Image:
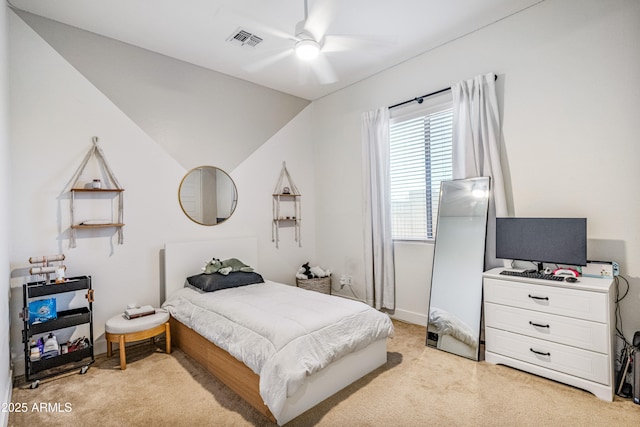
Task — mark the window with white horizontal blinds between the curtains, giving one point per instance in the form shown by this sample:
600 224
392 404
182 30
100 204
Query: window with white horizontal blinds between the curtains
420 154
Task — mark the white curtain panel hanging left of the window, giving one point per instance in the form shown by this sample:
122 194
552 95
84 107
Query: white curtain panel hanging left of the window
378 250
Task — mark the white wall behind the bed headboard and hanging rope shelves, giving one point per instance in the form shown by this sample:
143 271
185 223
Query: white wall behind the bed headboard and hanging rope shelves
55 112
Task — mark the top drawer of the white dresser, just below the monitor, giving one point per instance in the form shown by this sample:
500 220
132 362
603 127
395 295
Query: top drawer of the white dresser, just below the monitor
548 299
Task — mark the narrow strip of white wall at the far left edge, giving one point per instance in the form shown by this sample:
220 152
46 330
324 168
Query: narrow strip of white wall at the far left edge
5 219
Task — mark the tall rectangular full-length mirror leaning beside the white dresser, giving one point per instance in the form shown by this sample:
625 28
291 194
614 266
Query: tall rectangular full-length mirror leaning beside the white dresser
458 262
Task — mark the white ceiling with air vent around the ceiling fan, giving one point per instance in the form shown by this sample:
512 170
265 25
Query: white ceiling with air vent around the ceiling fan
363 37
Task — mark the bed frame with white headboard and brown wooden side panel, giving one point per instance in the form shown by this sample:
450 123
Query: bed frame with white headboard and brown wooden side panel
186 258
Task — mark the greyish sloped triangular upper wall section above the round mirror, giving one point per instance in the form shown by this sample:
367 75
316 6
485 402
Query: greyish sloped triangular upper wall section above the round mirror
179 105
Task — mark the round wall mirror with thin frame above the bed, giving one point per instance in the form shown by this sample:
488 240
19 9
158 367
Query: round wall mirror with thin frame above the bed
207 195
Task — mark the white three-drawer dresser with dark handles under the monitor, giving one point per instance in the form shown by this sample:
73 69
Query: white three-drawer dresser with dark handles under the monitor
558 330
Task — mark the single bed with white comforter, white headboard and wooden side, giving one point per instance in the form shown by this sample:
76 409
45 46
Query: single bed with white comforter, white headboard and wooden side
289 372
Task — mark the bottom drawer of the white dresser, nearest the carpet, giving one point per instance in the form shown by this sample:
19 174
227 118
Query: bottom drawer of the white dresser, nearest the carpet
580 363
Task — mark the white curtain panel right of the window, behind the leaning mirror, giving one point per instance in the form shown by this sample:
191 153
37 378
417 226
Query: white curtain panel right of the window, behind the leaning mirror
476 146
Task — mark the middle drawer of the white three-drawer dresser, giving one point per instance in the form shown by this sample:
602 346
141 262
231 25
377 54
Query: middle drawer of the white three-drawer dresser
585 334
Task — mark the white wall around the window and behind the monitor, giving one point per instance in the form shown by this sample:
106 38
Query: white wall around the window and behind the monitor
569 94
